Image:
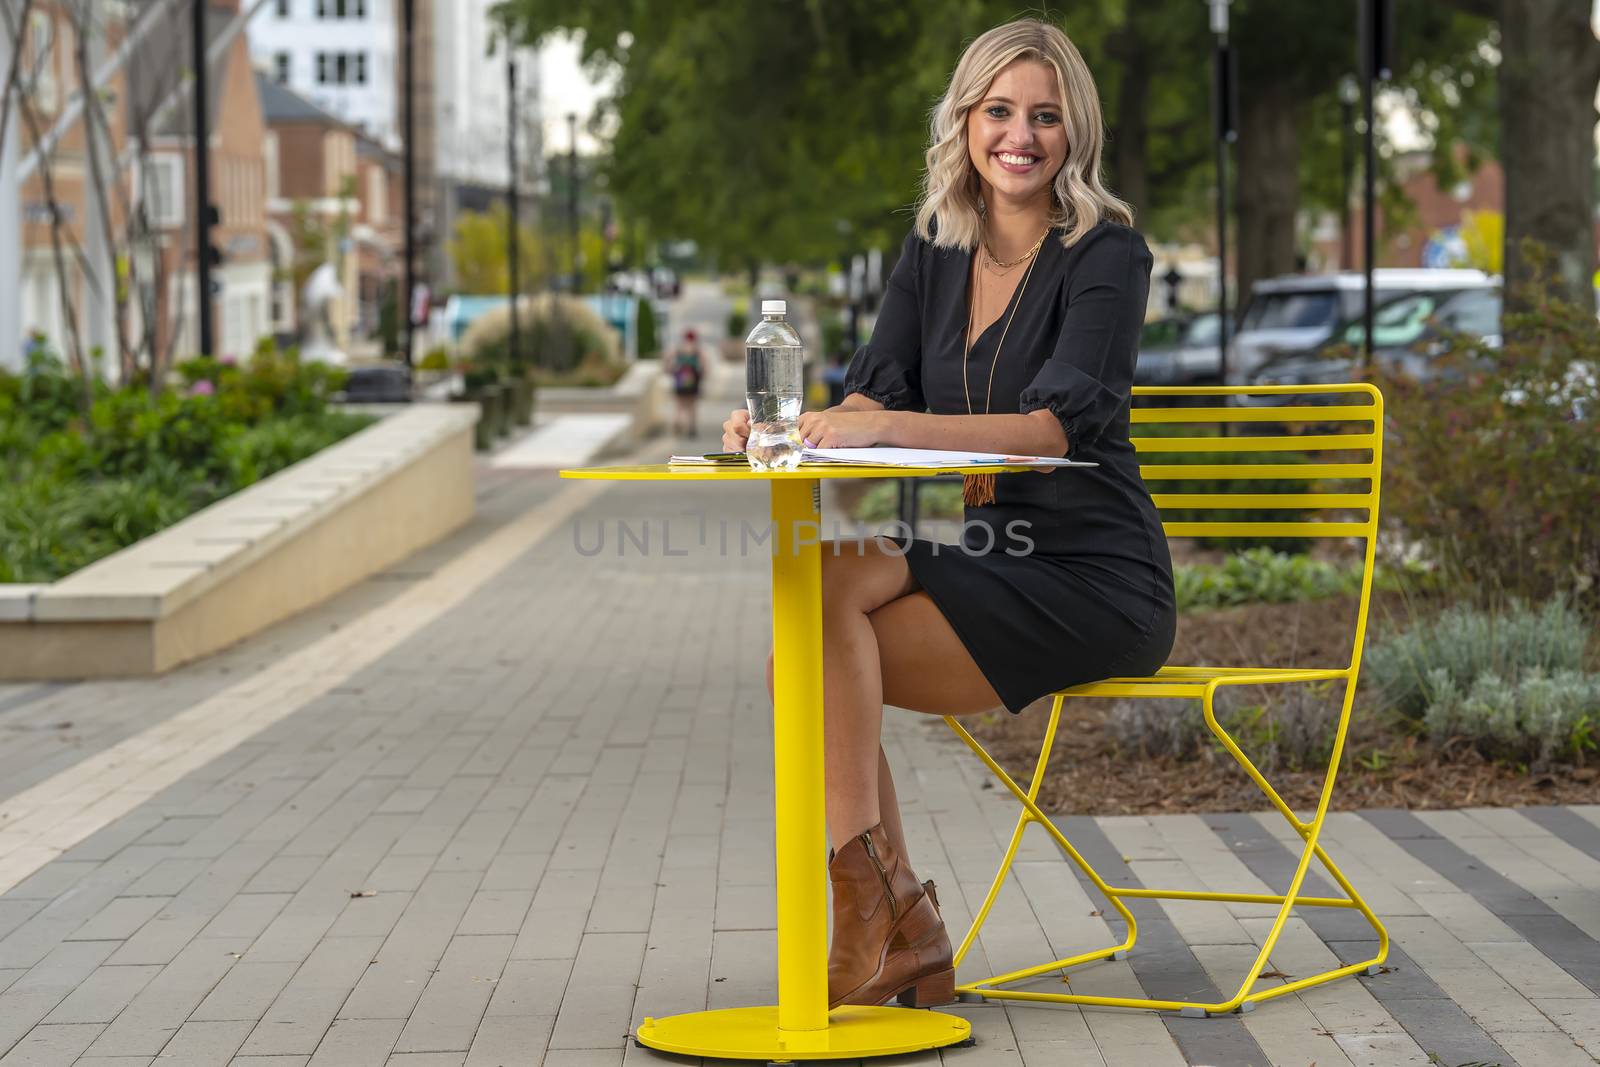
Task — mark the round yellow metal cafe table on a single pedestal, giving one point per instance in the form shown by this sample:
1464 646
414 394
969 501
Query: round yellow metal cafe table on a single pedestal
799 1026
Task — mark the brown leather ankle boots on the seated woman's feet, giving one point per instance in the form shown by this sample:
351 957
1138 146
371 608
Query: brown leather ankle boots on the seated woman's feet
889 938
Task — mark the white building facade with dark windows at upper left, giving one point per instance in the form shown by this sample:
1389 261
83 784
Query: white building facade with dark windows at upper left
338 54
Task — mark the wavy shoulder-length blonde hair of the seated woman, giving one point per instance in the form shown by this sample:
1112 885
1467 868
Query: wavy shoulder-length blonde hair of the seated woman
950 212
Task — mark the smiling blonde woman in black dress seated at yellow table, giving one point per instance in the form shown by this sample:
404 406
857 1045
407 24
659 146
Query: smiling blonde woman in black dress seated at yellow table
1010 326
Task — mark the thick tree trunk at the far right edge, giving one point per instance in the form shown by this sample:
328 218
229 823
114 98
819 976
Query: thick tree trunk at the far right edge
1550 66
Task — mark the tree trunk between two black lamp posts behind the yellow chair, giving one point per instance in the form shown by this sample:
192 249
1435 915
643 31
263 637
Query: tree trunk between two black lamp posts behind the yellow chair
1268 196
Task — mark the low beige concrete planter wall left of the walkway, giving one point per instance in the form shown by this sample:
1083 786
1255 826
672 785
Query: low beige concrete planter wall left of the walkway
250 561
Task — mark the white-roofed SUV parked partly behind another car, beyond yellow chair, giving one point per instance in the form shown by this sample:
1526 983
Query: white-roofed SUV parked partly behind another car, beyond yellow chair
1300 313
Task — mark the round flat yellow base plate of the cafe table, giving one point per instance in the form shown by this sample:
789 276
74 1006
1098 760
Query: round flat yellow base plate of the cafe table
852 1034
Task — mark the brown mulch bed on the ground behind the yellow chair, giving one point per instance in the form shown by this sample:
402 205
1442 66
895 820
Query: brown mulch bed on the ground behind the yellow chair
1090 777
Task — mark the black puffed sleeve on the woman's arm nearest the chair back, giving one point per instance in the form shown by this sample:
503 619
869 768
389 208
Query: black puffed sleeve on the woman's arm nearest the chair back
1089 377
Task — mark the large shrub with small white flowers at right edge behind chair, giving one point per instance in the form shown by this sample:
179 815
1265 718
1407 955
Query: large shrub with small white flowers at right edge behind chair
1494 465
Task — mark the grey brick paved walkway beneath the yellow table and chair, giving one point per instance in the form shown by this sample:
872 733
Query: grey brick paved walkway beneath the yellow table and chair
498 804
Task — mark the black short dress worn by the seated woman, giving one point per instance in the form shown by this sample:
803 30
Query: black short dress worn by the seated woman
1065 578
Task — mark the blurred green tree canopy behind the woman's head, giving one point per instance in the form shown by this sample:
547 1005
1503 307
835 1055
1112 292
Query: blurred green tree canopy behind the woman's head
796 132
